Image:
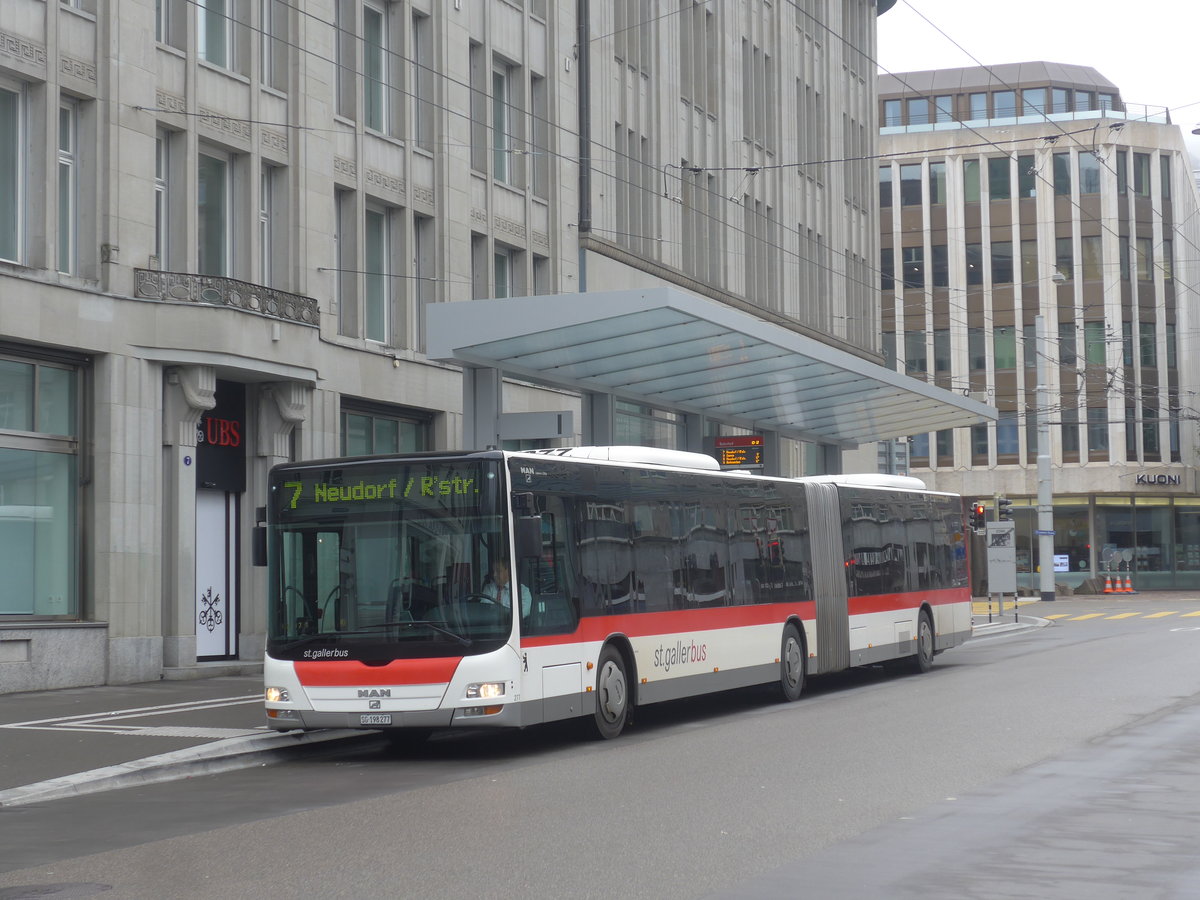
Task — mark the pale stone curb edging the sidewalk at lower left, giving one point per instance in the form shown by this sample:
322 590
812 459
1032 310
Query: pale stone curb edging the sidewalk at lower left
211 759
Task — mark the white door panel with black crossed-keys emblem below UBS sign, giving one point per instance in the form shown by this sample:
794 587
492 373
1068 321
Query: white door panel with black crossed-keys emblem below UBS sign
217 575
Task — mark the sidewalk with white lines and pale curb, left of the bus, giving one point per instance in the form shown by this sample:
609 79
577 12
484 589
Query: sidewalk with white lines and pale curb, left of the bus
79 741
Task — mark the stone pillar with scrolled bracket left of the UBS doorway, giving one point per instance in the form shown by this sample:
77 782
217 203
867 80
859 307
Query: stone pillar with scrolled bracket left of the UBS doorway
189 393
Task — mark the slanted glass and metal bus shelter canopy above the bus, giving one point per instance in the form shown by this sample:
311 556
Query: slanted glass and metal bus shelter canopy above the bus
677 351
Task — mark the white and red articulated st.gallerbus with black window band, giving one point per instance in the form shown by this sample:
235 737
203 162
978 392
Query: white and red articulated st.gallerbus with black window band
641 577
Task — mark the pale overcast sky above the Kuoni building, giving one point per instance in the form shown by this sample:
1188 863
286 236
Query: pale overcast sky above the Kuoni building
1148 49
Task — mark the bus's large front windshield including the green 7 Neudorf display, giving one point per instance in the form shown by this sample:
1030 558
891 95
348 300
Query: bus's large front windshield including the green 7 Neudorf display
385 560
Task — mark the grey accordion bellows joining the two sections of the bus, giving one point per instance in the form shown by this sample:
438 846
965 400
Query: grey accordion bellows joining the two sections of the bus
829 579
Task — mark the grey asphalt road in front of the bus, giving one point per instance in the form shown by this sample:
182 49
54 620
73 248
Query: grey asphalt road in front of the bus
1055 764
